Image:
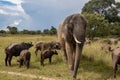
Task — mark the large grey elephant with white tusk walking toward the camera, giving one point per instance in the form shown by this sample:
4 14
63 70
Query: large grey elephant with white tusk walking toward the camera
71 34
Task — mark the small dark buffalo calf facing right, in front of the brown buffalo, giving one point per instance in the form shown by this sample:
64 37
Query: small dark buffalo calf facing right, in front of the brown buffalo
47 54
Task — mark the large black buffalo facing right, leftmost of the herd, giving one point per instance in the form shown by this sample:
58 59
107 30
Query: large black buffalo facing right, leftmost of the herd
14 49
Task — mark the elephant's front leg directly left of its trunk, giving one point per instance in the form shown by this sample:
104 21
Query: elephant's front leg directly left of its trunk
69 51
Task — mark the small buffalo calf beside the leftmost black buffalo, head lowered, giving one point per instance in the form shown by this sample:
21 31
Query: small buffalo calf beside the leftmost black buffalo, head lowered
25 56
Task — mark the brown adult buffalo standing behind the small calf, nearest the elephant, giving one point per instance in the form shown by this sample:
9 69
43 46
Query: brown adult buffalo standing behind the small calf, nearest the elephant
46 45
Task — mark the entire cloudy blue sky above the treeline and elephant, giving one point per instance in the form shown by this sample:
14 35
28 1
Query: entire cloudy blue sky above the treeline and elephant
37 14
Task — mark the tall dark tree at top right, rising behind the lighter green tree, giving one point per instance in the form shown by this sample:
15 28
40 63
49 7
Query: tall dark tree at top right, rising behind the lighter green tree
108 8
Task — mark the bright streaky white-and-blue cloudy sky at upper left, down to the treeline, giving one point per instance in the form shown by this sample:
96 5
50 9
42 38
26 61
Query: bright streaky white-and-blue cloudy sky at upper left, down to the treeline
12 14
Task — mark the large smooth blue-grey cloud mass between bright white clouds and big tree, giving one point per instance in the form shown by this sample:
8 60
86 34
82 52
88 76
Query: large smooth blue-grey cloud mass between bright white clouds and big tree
47 13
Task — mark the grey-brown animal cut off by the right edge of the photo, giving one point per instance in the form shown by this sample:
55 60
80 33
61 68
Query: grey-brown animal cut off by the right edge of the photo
115 59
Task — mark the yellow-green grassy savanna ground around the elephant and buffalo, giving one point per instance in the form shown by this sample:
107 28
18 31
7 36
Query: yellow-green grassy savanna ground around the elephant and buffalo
95 63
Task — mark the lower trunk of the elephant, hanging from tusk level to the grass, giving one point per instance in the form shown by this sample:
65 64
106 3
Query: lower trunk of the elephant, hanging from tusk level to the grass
79 47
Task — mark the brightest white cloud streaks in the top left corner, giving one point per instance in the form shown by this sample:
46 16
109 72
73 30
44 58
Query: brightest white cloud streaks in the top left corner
14 10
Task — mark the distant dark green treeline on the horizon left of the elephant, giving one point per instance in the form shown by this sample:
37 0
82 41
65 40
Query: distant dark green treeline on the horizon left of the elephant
14 30
